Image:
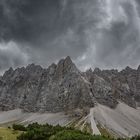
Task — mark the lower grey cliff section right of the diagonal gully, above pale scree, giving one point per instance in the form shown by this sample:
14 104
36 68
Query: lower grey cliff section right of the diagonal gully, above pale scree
111 86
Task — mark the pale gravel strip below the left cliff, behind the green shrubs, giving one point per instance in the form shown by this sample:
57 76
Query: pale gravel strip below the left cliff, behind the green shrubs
27 118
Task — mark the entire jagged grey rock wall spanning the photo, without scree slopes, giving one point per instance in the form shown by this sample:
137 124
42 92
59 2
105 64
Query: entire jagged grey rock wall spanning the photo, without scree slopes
63 87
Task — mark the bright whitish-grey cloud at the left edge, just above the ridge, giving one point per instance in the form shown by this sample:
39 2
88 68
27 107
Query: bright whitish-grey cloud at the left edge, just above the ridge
11 56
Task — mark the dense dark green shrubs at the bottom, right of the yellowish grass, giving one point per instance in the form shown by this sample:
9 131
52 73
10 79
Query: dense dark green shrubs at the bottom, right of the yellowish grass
48 132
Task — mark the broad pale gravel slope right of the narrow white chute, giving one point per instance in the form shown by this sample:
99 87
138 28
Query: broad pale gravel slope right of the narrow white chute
123 121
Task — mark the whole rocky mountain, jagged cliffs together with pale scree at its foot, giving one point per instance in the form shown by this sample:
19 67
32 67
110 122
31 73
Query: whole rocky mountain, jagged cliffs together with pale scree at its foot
102 98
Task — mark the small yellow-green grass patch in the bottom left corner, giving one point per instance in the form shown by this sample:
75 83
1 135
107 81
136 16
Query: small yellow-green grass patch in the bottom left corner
8 134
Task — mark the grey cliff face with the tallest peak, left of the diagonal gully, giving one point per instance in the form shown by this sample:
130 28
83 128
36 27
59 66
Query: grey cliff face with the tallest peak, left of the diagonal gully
58 88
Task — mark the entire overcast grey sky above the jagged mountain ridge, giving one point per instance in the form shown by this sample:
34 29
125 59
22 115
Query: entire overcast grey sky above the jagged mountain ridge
95 33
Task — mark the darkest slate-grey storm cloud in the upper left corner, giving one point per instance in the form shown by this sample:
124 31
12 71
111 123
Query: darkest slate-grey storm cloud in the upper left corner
26 20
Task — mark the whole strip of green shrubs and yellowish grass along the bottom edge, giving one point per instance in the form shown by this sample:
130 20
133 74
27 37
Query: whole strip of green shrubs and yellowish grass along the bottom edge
36 131
